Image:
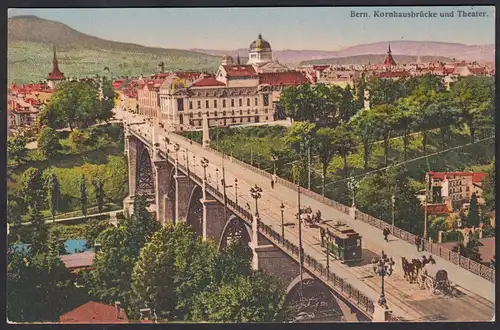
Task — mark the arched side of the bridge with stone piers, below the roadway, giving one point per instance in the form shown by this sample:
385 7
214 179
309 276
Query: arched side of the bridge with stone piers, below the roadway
178 192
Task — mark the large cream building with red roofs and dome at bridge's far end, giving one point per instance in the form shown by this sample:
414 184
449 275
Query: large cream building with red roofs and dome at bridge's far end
237 94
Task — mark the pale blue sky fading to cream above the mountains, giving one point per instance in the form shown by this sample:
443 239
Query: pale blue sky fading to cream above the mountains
310 28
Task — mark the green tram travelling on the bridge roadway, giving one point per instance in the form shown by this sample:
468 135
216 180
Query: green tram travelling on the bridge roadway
342 242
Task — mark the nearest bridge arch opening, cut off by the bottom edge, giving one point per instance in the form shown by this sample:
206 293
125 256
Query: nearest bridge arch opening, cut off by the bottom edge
312 302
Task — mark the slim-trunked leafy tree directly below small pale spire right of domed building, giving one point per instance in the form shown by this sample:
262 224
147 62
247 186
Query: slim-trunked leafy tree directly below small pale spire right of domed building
365 128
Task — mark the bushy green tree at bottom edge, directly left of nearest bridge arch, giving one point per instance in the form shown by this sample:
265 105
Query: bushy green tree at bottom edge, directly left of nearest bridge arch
254 298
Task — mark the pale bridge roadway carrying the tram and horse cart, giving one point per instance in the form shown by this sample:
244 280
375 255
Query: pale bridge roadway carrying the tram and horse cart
475 301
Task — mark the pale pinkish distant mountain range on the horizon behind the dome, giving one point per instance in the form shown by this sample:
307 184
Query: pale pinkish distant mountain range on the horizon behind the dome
411 48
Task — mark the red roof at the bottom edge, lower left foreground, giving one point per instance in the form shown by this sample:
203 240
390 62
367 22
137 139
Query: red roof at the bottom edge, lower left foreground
94 312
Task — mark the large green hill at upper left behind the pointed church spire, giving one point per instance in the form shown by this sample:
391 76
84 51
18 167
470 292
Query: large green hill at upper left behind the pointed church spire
29 53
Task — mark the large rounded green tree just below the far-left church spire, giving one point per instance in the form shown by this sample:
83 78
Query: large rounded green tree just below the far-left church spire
73 103
